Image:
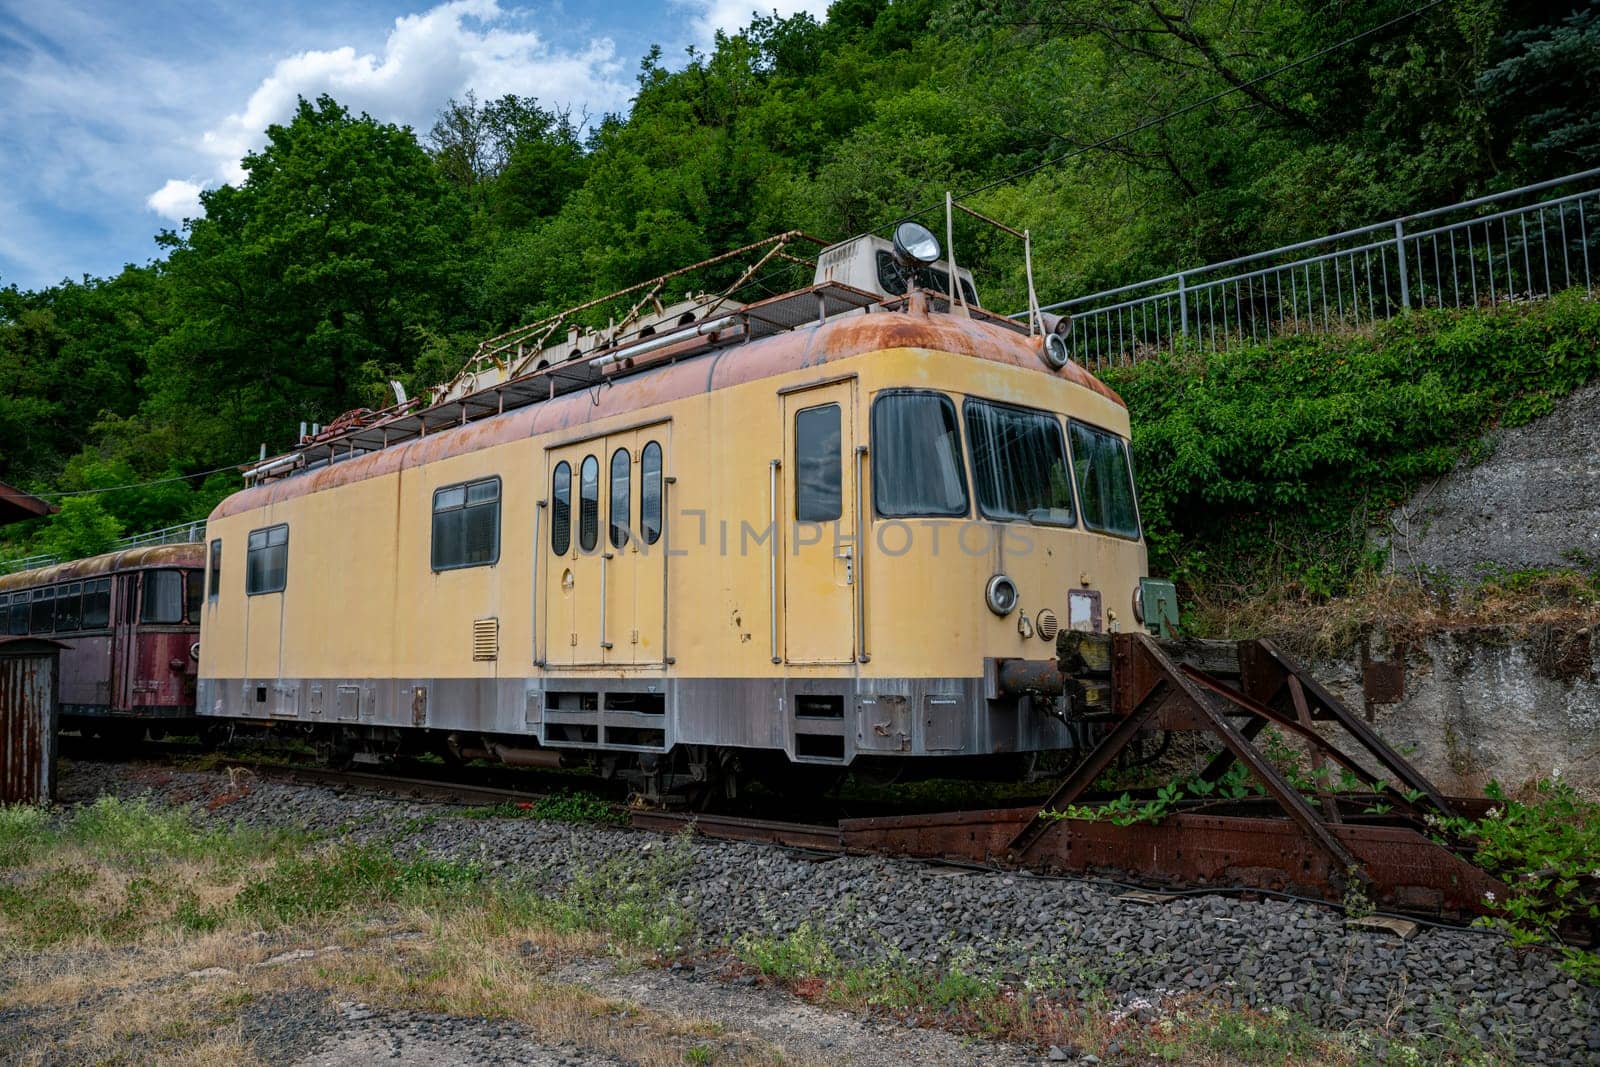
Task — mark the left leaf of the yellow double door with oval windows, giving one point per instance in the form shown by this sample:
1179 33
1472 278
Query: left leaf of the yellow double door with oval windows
574 554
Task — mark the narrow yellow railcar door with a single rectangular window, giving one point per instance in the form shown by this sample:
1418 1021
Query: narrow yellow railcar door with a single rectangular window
817 513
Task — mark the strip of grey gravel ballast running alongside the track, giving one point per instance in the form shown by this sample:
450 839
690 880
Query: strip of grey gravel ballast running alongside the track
1055 935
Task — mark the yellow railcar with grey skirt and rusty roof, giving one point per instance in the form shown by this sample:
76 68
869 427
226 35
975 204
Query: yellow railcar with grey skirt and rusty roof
834 527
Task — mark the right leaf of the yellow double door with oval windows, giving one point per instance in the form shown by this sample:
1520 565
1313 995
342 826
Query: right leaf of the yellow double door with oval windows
634 551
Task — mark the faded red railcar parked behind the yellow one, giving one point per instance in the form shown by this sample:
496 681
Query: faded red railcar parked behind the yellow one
130 626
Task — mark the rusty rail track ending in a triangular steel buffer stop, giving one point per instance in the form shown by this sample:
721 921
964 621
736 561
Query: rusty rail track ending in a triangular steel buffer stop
1326 845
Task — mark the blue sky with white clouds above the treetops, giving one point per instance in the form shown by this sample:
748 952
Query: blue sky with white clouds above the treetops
114 114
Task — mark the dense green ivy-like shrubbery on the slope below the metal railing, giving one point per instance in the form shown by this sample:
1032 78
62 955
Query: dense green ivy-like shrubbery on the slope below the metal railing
1263 468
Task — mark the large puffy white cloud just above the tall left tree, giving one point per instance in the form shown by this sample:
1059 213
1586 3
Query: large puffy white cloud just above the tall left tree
425 62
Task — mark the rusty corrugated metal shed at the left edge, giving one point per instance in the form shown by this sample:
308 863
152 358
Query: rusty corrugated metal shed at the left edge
30 669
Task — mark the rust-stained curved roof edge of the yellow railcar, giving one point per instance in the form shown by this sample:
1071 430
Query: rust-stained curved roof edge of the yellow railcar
721 369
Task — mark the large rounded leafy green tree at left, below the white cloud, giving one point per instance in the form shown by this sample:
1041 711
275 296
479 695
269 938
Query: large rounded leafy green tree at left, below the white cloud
306 287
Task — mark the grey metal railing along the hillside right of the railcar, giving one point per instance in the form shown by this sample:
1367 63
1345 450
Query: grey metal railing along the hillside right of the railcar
1478 254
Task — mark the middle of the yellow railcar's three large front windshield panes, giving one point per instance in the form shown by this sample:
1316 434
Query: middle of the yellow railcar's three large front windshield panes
1020 465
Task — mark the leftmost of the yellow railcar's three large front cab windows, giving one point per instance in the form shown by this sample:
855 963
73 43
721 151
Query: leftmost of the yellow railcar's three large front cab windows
918 457
